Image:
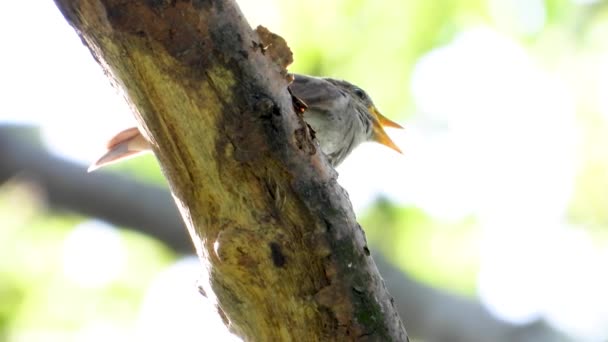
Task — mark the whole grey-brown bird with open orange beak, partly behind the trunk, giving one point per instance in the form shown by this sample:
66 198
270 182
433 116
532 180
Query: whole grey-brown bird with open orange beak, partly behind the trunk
341 114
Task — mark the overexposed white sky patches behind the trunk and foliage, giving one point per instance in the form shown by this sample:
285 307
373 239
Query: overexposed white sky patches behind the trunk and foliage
485 148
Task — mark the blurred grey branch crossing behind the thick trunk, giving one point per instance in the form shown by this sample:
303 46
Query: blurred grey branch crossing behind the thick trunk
432 315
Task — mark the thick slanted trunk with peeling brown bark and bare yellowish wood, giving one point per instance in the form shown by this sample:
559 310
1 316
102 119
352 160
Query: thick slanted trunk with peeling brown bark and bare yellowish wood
283 253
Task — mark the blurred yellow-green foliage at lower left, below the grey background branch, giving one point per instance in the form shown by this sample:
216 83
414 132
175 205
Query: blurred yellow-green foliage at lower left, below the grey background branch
37 297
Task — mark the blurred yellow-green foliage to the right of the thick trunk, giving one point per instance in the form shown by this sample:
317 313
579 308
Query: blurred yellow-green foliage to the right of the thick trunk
377 45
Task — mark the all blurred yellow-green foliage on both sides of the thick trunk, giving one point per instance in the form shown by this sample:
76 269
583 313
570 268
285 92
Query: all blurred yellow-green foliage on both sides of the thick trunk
375 44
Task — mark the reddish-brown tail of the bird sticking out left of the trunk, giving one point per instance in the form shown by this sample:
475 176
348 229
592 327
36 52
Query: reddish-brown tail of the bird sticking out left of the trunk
123 145
